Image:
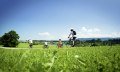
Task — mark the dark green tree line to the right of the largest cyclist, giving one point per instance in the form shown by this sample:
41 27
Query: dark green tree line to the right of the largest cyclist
98 42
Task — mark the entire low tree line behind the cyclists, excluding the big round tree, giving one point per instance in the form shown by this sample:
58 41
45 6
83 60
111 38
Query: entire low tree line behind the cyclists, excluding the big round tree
80 43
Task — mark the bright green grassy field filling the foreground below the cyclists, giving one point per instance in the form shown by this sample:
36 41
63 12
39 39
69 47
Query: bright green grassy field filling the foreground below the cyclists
80 59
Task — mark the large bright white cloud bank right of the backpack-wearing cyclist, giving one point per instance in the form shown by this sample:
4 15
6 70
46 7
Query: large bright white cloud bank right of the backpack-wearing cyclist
95 32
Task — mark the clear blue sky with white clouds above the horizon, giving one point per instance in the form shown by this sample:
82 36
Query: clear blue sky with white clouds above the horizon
53 19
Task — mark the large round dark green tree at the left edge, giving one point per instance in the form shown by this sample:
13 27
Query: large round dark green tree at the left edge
10 39
